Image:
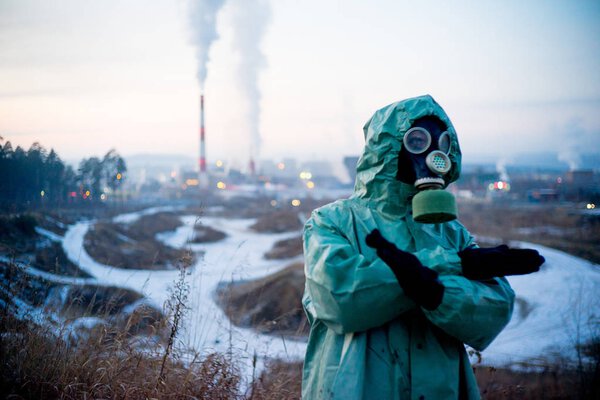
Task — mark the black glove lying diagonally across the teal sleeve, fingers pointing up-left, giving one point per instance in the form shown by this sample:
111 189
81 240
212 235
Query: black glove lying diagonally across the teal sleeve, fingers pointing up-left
418 282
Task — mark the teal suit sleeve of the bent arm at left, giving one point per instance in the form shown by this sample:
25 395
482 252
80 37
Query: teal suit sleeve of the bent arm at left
344 289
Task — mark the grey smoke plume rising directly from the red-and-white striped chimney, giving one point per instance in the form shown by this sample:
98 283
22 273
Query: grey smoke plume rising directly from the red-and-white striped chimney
203 17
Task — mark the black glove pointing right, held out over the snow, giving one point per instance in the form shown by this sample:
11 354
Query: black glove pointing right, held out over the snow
487 263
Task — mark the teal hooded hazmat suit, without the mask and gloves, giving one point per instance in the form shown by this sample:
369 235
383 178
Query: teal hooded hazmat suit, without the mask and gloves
367 339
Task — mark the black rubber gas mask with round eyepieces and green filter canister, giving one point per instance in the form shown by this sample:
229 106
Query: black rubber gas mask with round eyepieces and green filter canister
423 162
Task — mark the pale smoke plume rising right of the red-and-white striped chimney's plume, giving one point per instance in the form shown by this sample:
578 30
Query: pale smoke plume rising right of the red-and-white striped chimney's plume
250 19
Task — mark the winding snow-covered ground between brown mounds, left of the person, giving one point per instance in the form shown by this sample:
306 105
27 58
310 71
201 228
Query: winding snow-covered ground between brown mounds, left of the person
237 257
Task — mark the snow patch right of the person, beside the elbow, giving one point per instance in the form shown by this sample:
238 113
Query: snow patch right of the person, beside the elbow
557 309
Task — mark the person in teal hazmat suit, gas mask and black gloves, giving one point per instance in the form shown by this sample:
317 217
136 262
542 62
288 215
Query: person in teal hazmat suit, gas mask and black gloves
395 285
